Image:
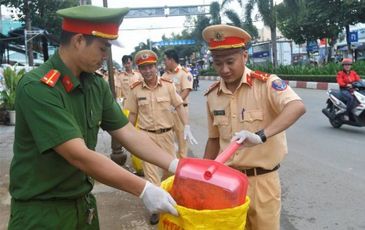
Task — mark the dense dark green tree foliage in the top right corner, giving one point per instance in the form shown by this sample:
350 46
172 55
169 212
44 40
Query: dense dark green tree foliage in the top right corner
306 20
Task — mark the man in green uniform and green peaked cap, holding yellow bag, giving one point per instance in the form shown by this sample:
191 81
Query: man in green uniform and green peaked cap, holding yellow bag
60 107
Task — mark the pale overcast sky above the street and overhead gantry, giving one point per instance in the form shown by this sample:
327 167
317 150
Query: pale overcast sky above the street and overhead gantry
134 31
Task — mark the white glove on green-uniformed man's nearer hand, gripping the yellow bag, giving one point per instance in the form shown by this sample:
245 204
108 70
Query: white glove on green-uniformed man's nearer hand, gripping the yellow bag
157 200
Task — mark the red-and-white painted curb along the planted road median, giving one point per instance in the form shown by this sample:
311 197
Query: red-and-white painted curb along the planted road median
293 84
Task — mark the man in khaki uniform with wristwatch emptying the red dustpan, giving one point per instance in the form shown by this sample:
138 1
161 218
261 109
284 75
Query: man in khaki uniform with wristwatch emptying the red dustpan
255 109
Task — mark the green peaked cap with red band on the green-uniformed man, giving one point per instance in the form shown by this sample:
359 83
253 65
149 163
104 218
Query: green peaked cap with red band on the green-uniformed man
93 20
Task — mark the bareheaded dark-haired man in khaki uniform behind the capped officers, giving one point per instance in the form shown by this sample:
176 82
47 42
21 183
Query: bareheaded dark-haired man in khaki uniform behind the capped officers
183 81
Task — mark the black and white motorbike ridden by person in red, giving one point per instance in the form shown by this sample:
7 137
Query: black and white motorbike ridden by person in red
336 108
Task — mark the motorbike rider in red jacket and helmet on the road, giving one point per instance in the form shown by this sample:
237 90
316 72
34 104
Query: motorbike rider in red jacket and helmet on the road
345 78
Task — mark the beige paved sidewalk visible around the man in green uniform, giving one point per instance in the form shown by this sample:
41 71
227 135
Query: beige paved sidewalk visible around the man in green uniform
117 209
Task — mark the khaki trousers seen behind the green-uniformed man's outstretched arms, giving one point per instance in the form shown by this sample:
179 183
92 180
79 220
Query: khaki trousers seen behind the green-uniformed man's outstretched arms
165 141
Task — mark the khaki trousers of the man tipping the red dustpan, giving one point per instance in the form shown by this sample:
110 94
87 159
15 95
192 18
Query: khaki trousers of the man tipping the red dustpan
265 193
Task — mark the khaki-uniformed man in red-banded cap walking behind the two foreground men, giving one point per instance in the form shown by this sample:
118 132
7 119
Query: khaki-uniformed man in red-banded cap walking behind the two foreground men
151 100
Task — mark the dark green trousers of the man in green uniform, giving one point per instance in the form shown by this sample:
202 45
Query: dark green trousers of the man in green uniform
79 214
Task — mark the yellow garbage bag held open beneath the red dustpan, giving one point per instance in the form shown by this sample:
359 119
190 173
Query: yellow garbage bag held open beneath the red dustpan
191 219
